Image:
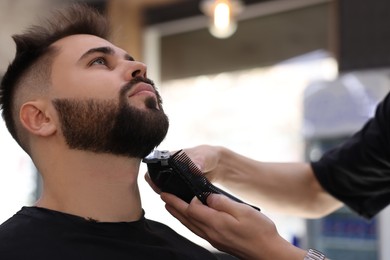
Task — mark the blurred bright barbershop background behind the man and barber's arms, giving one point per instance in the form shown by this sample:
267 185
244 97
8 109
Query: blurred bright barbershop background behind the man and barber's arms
282 80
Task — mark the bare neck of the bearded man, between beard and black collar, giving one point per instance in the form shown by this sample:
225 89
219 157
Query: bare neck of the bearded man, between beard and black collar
99 187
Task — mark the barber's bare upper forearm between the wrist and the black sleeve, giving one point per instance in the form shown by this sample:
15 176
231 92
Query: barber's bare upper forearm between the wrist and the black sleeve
283 187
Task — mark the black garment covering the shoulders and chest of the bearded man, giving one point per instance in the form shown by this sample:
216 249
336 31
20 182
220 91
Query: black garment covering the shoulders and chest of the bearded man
38 233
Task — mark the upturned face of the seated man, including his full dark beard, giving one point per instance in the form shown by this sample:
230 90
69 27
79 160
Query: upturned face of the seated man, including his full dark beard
104 101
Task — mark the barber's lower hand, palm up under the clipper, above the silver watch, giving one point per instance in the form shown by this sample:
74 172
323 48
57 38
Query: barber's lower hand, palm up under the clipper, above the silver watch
232 227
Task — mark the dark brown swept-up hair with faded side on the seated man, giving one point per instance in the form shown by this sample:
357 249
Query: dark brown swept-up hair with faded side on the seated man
30 70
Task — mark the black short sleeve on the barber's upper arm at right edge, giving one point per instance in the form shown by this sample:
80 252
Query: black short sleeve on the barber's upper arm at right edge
358 172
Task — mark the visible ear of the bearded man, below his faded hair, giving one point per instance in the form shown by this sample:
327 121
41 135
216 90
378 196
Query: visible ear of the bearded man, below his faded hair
37 119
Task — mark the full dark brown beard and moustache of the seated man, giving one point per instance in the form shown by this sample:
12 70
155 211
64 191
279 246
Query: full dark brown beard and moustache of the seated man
109 126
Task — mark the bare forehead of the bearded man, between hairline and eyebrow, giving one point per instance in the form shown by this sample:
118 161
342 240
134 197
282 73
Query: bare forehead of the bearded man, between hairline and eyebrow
73 47
